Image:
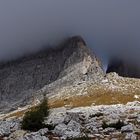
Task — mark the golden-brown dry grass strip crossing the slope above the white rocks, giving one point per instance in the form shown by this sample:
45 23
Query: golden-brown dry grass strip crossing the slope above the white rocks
94 96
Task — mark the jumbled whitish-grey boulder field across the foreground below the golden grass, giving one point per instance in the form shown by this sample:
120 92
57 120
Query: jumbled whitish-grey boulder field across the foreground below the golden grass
81 122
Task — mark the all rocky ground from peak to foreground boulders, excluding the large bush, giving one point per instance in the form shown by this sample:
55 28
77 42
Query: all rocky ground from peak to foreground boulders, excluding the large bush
83 99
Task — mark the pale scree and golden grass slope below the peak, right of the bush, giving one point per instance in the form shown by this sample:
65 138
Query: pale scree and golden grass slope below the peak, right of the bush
111 89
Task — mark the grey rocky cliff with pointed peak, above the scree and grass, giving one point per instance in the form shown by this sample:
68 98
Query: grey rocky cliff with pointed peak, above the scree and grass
68 64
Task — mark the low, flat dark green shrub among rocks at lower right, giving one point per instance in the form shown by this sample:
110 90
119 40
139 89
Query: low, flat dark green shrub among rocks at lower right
116 125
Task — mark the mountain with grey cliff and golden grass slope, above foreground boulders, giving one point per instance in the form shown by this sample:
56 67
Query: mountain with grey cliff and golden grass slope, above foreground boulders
69 74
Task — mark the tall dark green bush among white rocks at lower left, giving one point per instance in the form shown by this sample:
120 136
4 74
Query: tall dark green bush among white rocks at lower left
33 119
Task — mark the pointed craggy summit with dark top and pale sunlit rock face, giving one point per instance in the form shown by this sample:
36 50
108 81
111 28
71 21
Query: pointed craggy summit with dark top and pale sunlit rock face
82 63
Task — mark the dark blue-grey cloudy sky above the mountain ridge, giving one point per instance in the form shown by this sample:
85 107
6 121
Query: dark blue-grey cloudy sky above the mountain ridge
110 27
